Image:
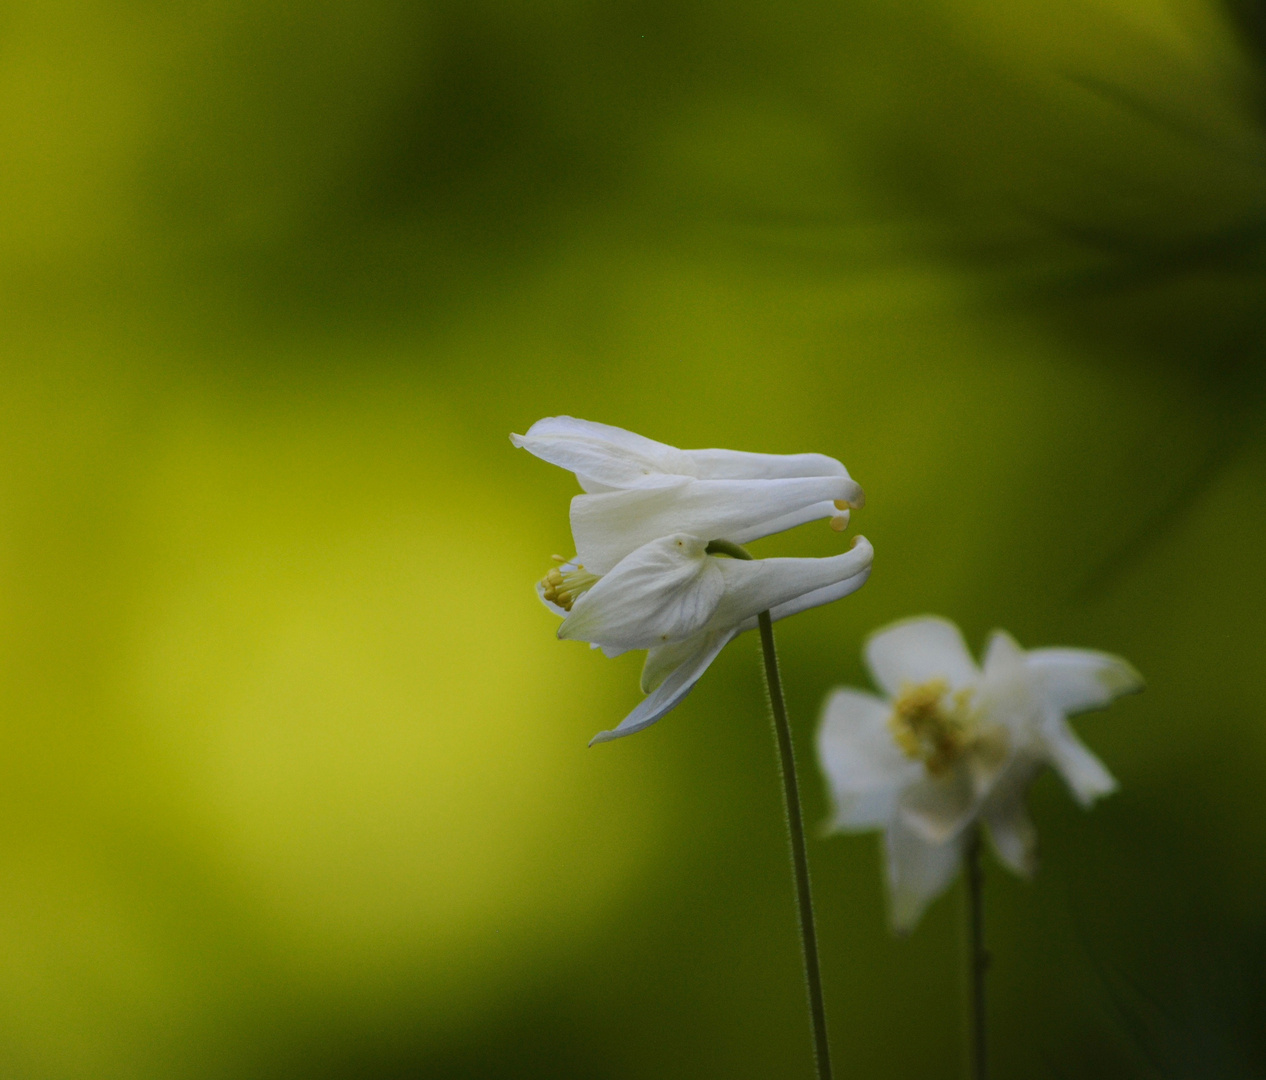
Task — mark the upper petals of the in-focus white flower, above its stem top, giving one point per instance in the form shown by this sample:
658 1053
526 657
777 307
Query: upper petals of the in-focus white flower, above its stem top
640 491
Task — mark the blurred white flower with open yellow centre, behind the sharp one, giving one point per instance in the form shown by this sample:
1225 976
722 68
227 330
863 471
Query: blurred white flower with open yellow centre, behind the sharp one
953 744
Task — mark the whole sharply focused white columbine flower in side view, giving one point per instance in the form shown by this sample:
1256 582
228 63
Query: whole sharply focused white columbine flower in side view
644 578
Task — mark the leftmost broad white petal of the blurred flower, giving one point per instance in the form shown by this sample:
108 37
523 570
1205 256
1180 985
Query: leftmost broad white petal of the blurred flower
865 769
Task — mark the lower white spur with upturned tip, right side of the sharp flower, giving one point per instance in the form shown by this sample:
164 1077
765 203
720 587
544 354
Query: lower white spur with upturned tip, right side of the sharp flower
774 584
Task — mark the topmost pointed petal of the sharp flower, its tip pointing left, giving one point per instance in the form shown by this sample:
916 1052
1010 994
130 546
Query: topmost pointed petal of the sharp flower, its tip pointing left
603 458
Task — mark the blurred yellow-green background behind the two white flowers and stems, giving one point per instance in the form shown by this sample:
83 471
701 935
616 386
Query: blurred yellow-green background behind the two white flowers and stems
296 775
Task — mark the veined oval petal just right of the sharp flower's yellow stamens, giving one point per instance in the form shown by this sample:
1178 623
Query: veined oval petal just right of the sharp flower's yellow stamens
664 592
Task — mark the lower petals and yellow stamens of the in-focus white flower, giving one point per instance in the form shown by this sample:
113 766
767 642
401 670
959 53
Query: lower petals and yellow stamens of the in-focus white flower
683 606
